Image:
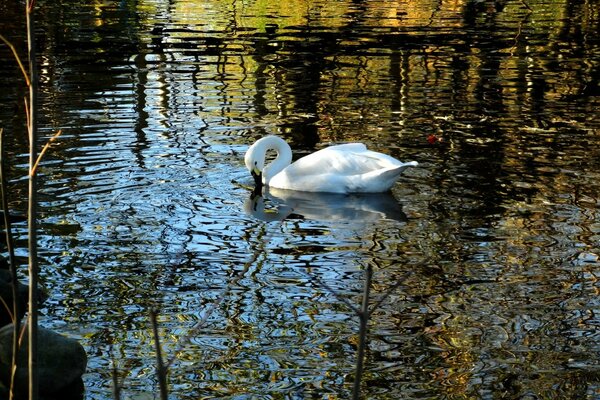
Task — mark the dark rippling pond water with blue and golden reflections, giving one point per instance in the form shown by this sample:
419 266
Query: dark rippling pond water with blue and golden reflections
485 257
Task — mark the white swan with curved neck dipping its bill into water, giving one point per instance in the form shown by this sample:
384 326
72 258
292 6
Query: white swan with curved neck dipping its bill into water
345 168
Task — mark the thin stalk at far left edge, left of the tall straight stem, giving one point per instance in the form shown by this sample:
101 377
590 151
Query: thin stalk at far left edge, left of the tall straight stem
12 263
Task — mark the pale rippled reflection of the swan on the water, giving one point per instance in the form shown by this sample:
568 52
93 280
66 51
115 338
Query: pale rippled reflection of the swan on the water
277 205
